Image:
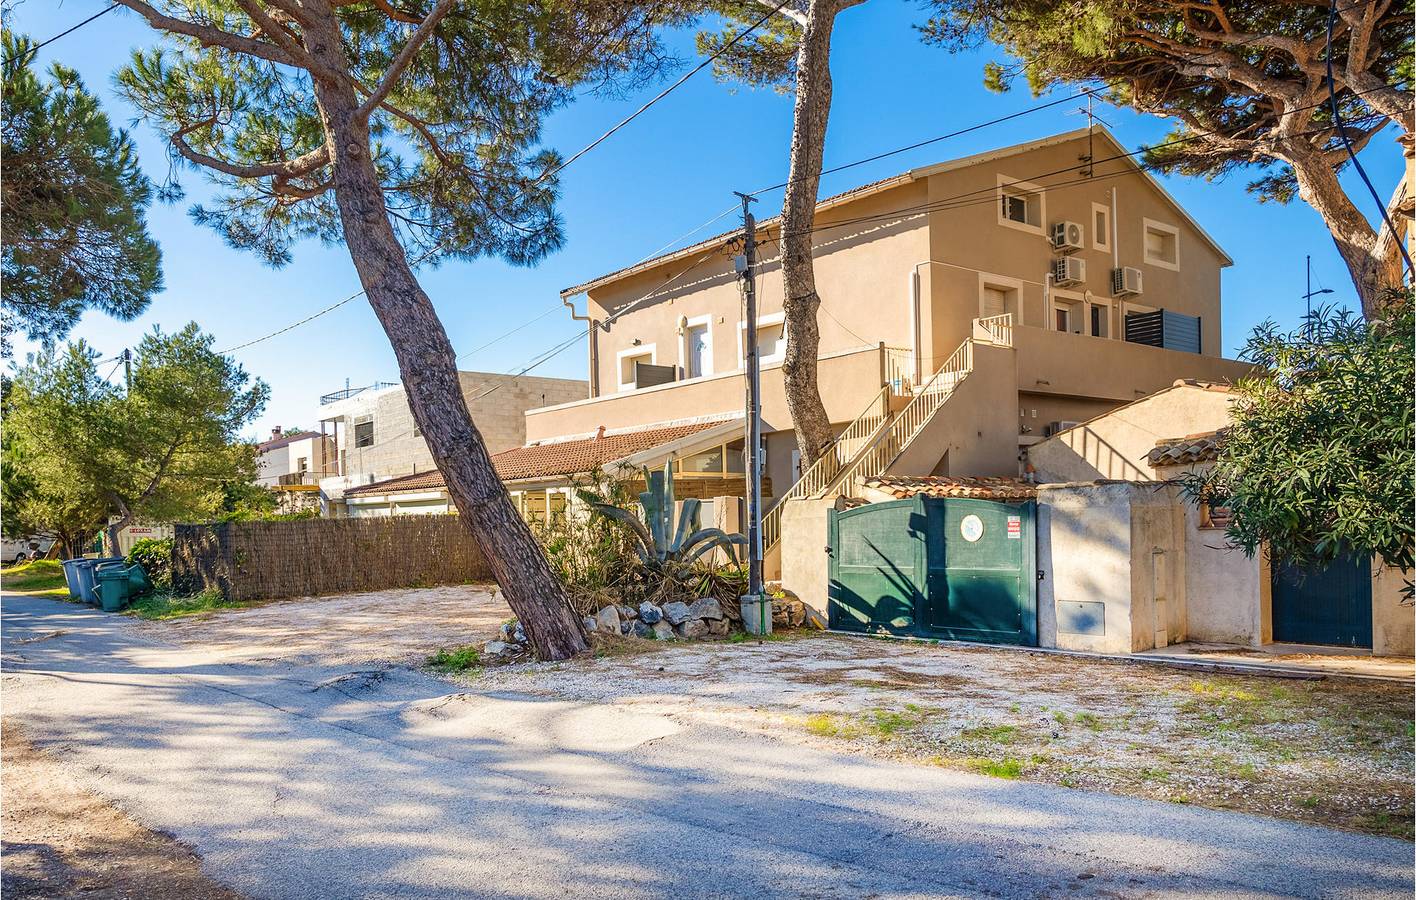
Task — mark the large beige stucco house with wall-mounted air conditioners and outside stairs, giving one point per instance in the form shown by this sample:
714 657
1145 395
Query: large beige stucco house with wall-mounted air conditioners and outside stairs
968 311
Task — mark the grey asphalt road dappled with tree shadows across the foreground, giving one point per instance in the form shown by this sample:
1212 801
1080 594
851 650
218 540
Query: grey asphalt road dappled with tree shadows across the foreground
298 780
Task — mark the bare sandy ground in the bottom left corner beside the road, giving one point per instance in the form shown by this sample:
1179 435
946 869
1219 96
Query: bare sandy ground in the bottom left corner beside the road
62 841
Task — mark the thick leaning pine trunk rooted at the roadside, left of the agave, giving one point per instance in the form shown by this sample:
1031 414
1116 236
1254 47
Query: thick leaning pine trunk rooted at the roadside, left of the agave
430 370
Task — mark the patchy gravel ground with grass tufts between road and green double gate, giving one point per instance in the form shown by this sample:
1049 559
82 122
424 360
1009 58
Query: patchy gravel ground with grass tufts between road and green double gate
1333 752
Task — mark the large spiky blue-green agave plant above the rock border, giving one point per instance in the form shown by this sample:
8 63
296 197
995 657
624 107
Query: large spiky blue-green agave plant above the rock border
661 543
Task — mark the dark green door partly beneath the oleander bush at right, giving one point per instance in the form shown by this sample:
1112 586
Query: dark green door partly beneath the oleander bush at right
1325 606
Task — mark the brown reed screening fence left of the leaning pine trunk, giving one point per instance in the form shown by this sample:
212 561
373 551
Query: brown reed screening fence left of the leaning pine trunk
267 561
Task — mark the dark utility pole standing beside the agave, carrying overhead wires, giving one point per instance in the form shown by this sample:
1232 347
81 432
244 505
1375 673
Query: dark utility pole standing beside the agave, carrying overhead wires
757 609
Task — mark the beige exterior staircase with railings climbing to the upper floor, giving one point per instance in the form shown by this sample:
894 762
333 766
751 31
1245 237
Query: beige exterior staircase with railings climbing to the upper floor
884 429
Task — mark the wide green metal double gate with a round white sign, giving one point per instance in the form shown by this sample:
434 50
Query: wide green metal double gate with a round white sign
959 570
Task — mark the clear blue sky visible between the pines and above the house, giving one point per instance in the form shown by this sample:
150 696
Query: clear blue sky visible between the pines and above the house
669 172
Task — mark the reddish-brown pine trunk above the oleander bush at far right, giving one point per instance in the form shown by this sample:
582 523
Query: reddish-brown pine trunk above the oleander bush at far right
1374 265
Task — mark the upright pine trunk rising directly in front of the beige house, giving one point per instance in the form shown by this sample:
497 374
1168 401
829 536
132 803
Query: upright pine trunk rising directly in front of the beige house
813 108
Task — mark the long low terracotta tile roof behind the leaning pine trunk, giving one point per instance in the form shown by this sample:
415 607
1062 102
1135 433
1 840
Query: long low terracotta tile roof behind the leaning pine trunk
547 461
